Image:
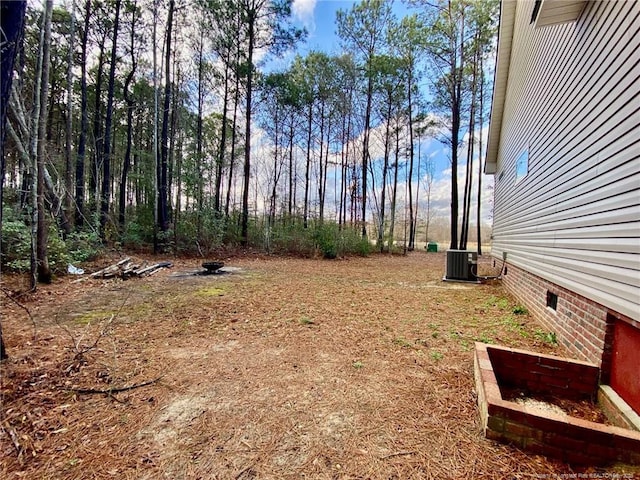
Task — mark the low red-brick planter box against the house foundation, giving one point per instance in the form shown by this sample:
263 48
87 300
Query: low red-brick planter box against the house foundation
545 432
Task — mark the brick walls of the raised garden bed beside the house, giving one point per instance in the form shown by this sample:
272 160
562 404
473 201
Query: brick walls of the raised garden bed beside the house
570 439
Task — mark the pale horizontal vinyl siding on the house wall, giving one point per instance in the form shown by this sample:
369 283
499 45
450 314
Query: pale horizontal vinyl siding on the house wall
573 97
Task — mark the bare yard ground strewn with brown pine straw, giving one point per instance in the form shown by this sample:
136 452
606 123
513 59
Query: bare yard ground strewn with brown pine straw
283 368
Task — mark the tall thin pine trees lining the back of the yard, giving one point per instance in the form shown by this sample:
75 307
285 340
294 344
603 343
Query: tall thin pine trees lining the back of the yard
163 123
